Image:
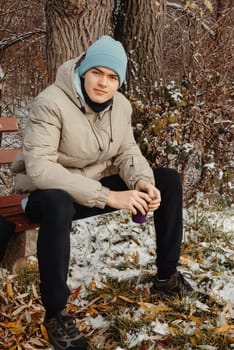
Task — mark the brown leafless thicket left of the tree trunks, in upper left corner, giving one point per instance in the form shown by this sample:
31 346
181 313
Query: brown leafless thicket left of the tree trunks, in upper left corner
22 51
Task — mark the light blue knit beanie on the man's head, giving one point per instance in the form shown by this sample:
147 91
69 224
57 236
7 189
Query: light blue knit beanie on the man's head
106 52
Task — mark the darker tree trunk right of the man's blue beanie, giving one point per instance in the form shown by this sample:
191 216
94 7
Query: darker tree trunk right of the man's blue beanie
139 26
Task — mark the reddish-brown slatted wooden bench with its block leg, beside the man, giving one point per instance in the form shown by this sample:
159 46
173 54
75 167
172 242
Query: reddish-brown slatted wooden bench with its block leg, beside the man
24 242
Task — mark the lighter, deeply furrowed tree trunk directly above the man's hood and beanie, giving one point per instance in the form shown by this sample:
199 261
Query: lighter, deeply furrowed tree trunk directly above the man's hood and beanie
72 26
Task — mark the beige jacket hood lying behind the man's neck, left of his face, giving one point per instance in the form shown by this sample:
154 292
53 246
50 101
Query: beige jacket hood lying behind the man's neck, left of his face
68 82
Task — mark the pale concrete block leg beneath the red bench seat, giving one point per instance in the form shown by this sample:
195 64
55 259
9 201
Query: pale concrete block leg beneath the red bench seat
21 245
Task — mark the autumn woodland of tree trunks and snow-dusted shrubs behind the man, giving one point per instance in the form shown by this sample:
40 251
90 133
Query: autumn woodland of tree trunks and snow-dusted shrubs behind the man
179 80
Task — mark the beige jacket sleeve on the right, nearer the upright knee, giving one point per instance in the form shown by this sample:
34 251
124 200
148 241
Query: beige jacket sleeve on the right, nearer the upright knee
130 161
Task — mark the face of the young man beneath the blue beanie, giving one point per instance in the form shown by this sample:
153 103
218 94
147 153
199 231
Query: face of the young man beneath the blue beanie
101 84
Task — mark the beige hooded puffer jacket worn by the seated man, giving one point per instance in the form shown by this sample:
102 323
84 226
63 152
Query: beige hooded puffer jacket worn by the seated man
69 147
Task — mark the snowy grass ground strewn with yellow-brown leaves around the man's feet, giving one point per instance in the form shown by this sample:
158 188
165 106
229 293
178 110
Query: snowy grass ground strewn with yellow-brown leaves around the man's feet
111 269
